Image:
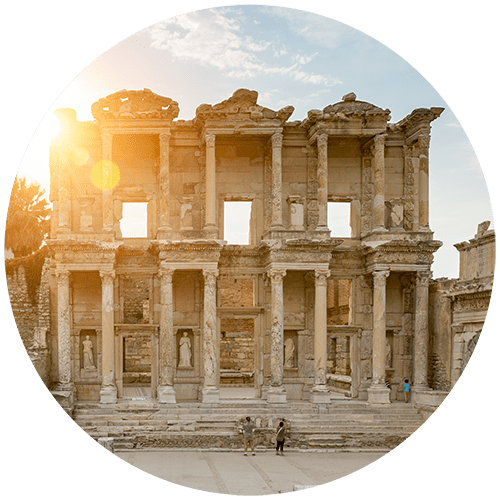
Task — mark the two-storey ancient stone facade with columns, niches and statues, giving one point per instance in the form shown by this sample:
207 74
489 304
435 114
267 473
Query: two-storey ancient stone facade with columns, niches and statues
296 313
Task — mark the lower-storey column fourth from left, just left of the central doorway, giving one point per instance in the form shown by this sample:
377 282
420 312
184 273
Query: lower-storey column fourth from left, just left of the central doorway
210 392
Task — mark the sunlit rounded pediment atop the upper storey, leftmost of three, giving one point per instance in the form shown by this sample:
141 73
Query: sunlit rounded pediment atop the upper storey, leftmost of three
133 105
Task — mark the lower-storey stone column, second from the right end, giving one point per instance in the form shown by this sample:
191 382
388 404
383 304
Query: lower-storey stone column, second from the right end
378 392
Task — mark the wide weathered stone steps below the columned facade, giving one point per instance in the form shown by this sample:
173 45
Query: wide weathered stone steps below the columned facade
342 424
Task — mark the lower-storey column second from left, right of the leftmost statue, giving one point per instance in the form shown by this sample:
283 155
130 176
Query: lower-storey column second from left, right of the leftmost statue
108 387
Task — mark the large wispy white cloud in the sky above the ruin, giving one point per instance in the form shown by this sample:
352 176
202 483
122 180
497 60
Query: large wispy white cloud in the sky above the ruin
214 37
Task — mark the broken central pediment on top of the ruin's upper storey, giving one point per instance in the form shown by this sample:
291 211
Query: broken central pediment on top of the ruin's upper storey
242 106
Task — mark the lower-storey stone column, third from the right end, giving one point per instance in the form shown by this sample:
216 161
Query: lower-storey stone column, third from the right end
319 392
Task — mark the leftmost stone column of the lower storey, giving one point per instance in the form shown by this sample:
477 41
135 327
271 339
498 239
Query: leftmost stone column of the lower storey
64 330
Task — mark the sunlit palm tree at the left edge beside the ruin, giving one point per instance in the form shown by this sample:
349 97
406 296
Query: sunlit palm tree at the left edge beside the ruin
27 218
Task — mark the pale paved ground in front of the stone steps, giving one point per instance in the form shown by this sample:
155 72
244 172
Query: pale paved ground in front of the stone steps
231 473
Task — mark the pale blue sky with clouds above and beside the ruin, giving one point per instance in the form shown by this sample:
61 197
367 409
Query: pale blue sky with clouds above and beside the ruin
290 57
